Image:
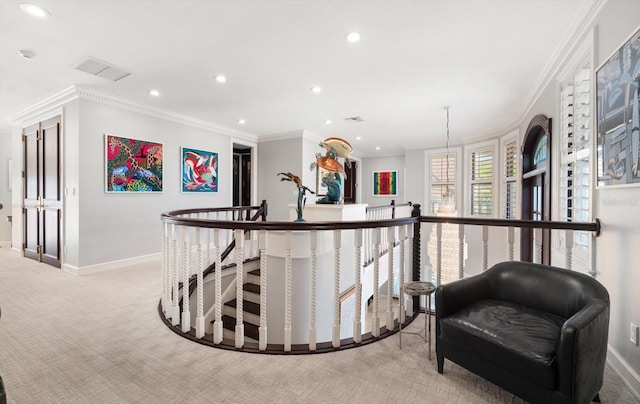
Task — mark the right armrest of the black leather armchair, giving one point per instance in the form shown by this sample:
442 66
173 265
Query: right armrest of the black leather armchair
582 350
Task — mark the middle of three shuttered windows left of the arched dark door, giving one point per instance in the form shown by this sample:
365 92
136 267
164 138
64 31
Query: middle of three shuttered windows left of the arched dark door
482 183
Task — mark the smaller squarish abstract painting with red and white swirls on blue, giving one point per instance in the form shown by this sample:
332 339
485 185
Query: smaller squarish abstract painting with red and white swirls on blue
199 170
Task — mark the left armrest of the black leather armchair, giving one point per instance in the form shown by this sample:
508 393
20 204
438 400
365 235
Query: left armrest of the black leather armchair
457 295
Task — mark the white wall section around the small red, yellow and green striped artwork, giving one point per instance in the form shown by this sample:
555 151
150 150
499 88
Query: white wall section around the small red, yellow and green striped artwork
371 164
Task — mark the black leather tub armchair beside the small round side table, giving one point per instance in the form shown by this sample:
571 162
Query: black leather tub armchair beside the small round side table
537 331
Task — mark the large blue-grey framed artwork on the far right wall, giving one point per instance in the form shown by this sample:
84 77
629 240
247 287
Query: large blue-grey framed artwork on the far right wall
618 115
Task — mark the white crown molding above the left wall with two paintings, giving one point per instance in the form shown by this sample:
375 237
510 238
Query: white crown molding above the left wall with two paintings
75 92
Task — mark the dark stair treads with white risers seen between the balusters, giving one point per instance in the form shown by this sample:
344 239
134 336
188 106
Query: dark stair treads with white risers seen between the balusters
251 310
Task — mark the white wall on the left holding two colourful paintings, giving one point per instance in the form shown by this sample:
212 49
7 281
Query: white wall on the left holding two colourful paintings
113 226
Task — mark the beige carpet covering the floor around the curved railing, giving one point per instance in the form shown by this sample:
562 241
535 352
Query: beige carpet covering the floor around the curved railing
98 339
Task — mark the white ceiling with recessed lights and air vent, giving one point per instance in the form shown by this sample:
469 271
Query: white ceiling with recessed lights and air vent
483 58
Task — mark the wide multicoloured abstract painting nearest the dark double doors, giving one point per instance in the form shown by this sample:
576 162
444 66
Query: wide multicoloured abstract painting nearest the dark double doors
132 165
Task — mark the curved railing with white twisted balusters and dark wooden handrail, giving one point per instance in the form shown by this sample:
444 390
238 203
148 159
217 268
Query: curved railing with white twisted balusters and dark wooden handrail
301 287
